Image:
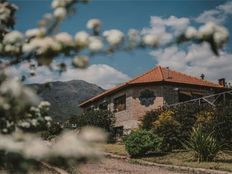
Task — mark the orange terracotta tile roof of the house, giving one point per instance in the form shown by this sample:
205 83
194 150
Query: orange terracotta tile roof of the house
159 74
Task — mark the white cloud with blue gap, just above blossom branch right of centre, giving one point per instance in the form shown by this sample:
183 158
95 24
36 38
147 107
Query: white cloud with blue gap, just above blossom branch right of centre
166 28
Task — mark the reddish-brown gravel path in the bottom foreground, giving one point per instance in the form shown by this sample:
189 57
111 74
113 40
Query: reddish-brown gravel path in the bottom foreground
115 166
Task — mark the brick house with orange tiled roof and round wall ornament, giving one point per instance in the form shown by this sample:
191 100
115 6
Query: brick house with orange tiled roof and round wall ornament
156 88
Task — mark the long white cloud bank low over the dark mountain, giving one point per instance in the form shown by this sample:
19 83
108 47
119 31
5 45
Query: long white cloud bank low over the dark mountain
100 74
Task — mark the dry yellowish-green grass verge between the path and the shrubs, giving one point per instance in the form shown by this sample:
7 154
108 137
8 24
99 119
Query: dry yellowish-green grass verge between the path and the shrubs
179 158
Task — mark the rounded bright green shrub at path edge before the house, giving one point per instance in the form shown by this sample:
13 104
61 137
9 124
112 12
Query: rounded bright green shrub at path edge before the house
139 142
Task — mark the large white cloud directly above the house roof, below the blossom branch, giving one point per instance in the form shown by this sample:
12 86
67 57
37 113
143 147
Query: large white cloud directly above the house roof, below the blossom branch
197 59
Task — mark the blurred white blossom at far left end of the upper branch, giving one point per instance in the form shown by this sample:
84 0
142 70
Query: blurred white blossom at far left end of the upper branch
13 37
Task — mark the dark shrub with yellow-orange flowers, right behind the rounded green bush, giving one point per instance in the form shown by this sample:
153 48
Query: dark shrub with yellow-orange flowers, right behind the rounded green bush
176 127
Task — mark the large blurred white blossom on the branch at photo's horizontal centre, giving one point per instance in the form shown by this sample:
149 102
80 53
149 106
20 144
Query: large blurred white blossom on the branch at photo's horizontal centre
113 37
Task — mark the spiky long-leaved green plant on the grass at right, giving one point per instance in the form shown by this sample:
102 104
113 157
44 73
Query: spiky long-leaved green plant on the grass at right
204 146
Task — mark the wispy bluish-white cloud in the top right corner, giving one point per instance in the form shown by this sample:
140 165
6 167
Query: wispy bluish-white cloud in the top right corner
217 15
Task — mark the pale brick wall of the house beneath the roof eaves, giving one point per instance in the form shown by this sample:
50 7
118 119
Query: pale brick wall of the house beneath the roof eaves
164 94
